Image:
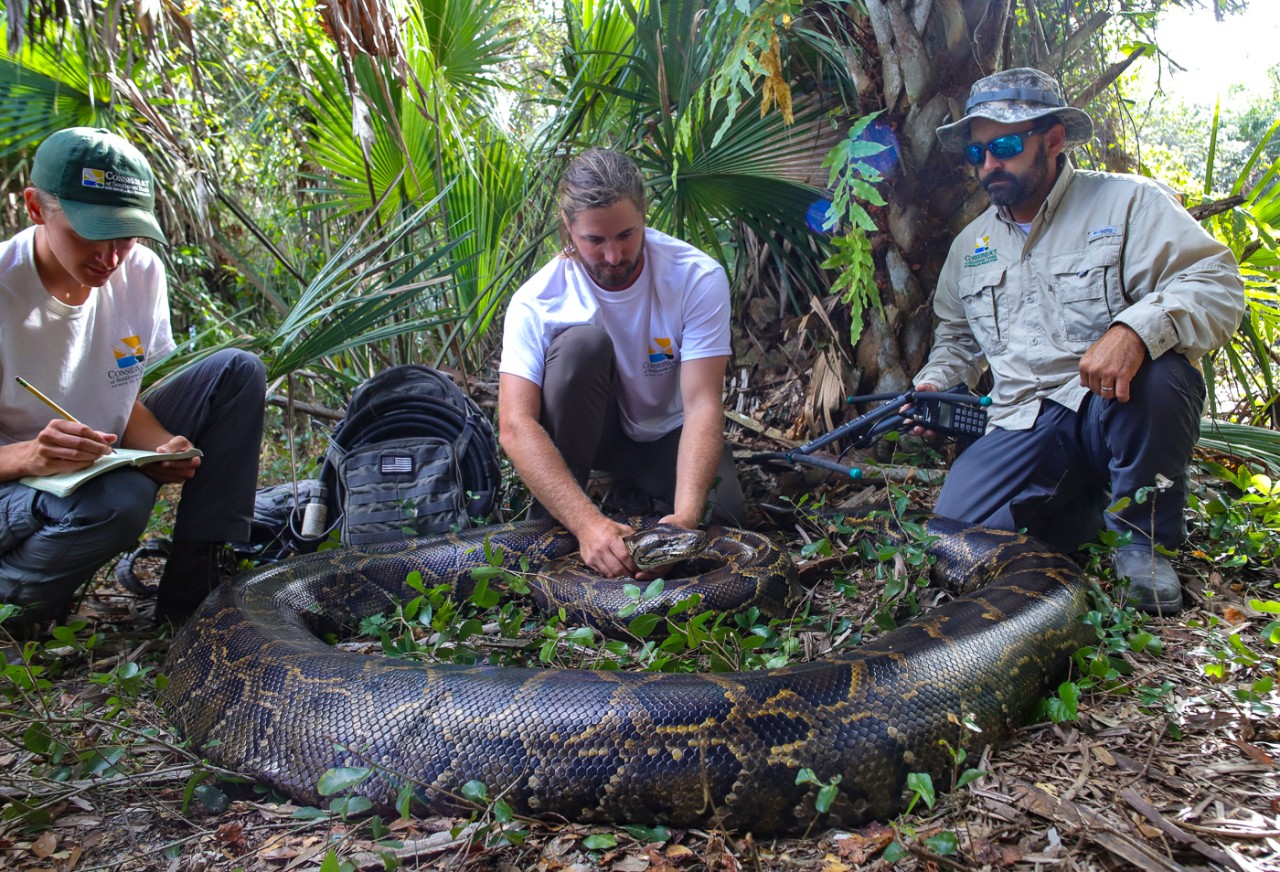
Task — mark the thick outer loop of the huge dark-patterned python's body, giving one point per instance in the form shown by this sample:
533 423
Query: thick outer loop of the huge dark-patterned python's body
259 693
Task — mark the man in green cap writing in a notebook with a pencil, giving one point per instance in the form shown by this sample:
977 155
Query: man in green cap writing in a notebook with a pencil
84 311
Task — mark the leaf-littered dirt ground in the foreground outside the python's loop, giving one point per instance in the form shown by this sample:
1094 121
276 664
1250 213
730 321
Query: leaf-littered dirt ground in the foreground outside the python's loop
1176 769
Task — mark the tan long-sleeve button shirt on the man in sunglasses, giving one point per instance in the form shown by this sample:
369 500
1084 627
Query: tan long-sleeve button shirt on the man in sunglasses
1104 249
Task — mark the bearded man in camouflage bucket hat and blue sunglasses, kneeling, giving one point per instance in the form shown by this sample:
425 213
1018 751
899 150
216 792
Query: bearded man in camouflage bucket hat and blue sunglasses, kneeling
1091 298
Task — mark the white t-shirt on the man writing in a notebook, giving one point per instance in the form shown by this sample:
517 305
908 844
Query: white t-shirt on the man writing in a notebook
88 359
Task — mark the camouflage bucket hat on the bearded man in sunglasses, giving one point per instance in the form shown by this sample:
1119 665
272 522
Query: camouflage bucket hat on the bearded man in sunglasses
1017 95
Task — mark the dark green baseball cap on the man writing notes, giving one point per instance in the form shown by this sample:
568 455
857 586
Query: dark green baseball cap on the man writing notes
103 184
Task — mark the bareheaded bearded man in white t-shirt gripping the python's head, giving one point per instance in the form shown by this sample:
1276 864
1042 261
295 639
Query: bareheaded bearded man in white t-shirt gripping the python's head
614 358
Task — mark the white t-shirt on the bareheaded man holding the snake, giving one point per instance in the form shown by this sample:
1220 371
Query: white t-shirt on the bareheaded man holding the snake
678 311
